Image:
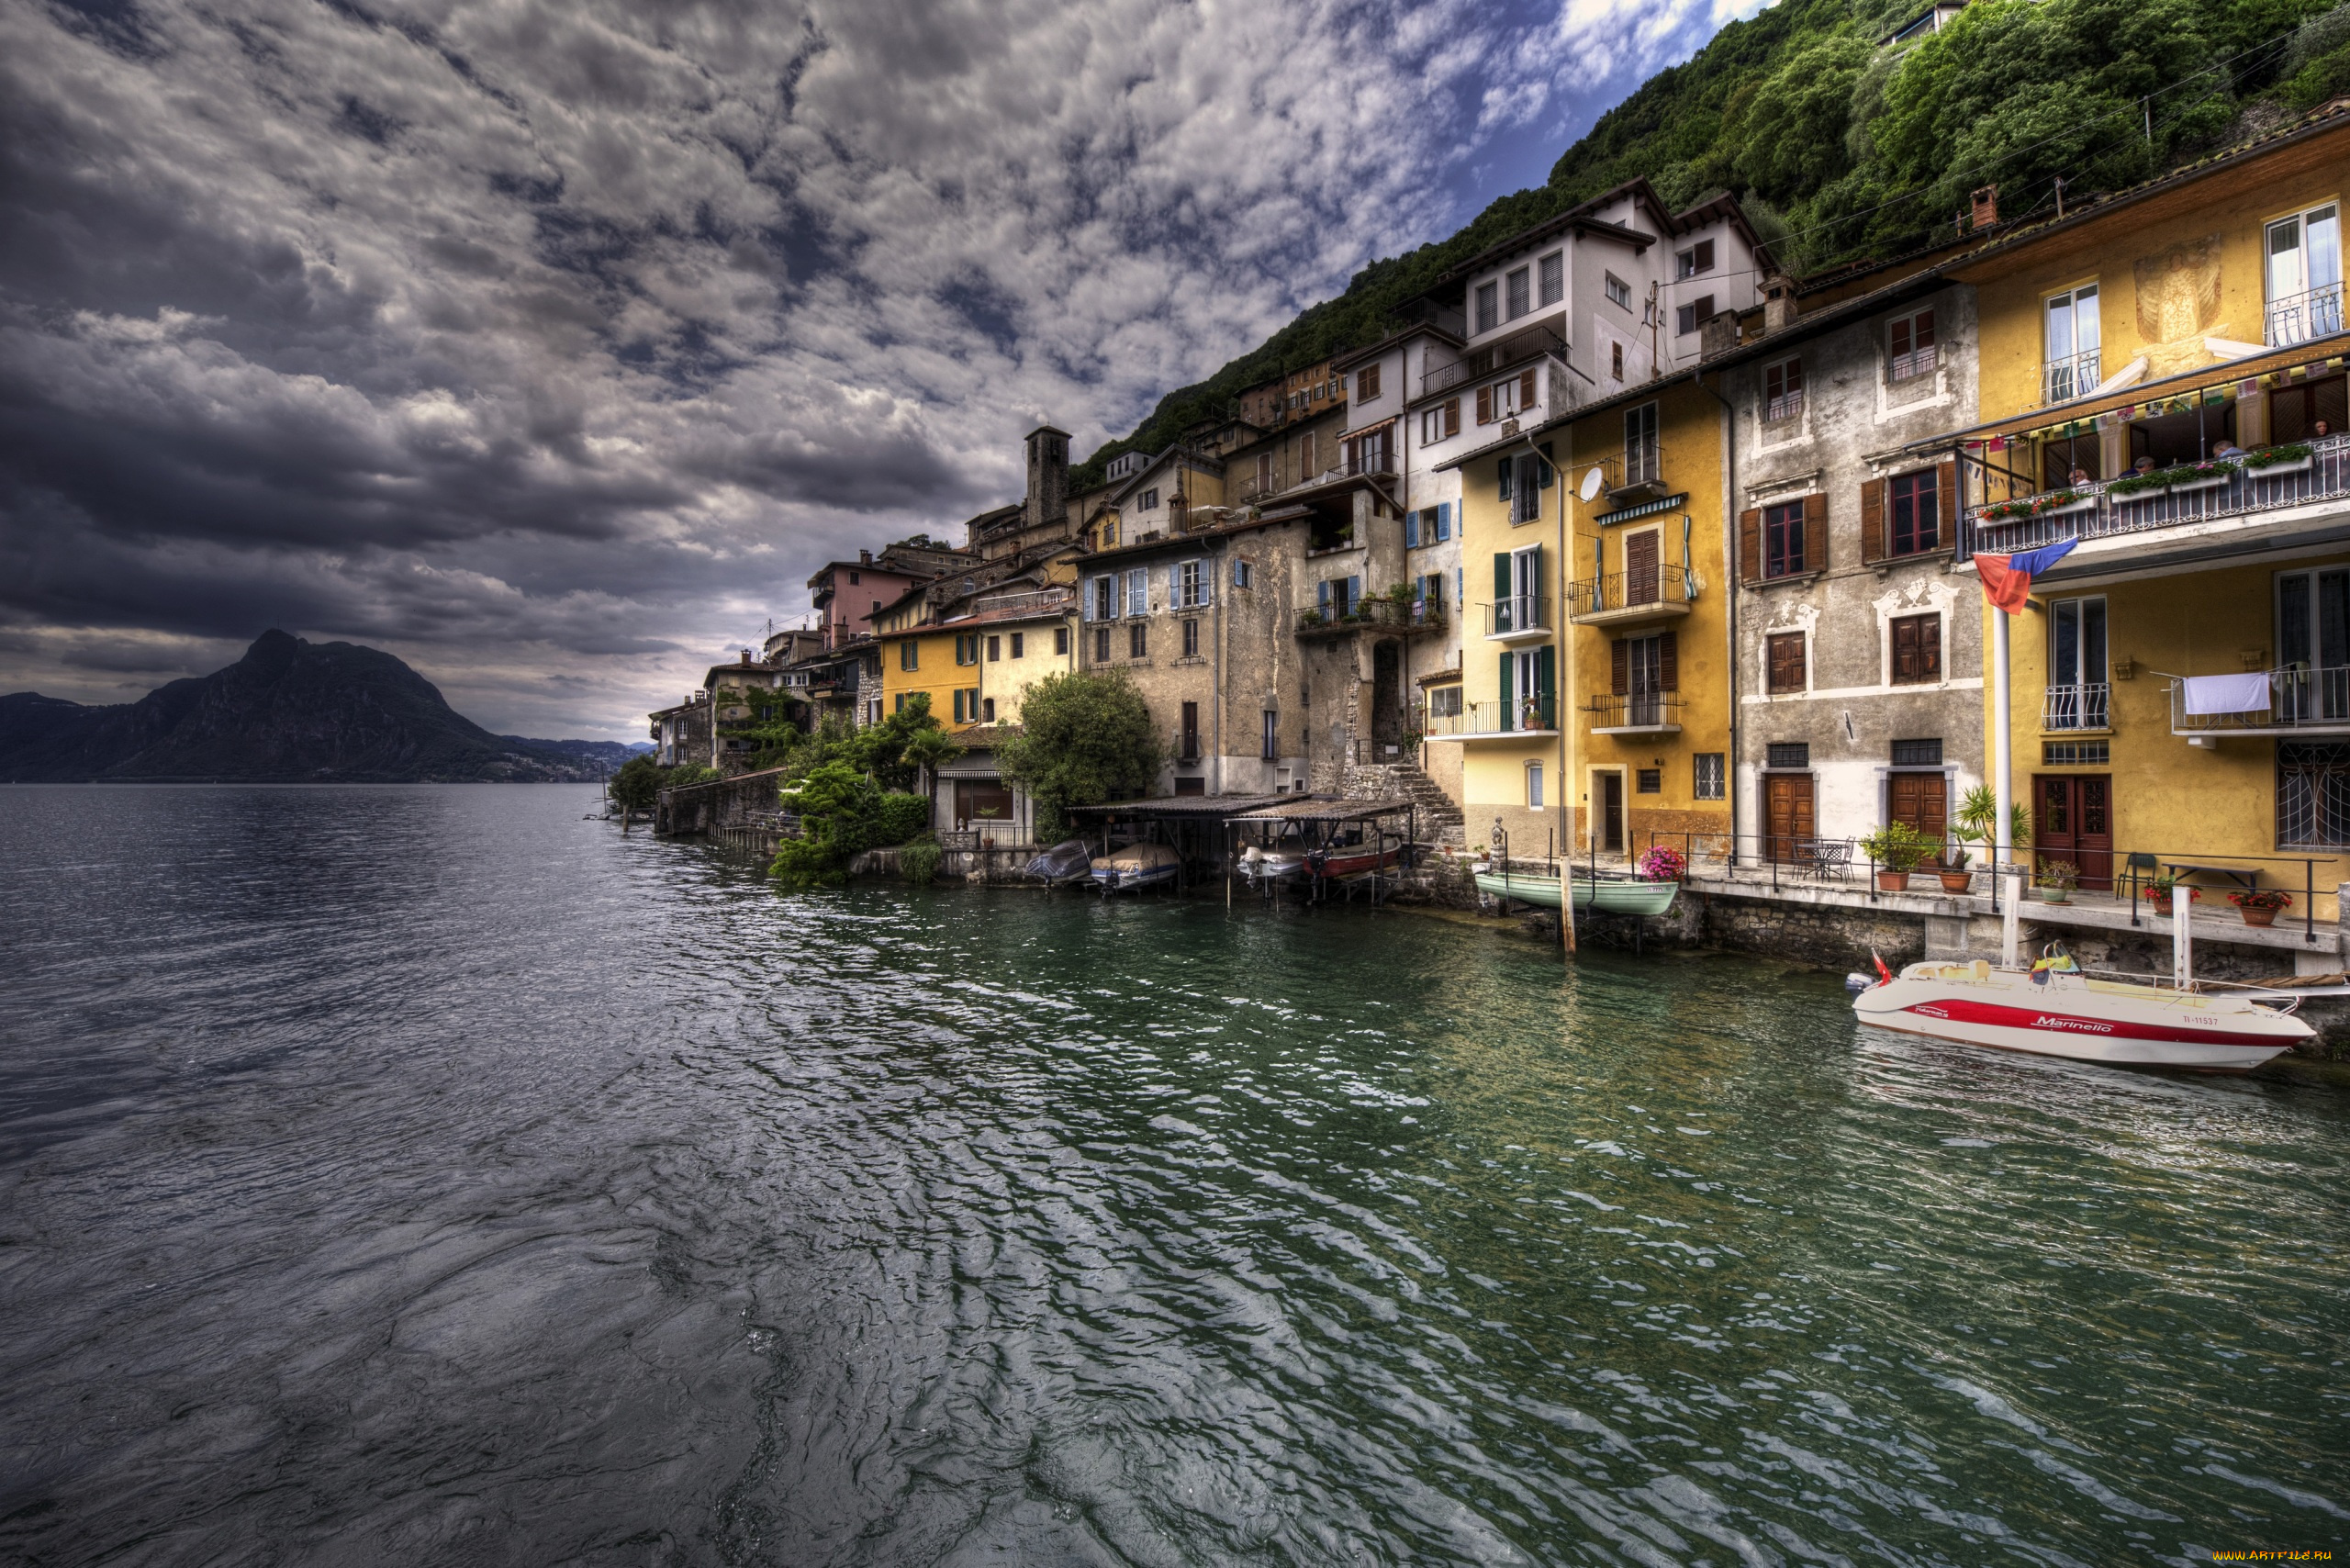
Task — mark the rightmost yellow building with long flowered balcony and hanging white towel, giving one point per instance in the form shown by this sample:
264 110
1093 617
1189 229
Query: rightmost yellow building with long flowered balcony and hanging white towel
2163 387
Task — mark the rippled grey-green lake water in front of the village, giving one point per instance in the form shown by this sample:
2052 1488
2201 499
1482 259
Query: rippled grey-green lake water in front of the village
434 1177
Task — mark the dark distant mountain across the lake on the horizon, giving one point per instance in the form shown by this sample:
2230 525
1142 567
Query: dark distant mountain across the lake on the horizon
286 713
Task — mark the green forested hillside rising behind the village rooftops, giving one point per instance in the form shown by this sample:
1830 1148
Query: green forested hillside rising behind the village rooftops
1844 147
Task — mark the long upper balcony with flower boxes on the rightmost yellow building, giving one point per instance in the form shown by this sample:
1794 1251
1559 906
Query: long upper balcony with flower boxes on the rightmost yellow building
2215 492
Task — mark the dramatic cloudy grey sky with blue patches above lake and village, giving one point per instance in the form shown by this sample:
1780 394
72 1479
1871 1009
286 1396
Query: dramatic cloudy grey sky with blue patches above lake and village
556 344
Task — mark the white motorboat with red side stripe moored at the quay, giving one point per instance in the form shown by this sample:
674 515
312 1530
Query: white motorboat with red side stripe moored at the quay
2090 1021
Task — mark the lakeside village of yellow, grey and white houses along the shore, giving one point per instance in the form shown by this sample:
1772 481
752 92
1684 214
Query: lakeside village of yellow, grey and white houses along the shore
1630 551
